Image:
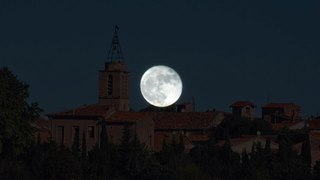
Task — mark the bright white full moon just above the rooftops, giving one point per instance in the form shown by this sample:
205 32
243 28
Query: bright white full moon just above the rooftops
161 86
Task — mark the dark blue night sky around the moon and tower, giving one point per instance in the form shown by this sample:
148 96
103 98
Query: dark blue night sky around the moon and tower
224 50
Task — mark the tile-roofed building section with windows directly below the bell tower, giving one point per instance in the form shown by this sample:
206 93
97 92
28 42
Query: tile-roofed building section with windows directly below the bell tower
86 120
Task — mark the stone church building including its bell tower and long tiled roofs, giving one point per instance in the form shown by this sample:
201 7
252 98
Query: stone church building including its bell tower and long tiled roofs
151 128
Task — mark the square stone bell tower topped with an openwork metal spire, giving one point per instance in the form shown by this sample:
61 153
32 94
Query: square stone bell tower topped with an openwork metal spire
114 79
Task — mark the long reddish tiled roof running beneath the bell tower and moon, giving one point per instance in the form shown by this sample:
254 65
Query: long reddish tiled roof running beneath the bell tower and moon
162 120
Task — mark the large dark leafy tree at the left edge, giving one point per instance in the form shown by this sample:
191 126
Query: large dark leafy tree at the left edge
16 115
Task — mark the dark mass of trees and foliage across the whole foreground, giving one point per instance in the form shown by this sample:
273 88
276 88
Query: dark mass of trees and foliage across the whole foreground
23 158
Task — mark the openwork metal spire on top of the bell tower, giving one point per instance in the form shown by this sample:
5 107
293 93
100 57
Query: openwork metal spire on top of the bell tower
115 52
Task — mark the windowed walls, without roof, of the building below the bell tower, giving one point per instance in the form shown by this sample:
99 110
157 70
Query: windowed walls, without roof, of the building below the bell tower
144 129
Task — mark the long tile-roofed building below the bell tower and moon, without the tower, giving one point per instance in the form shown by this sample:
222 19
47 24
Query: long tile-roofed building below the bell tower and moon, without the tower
151 128
